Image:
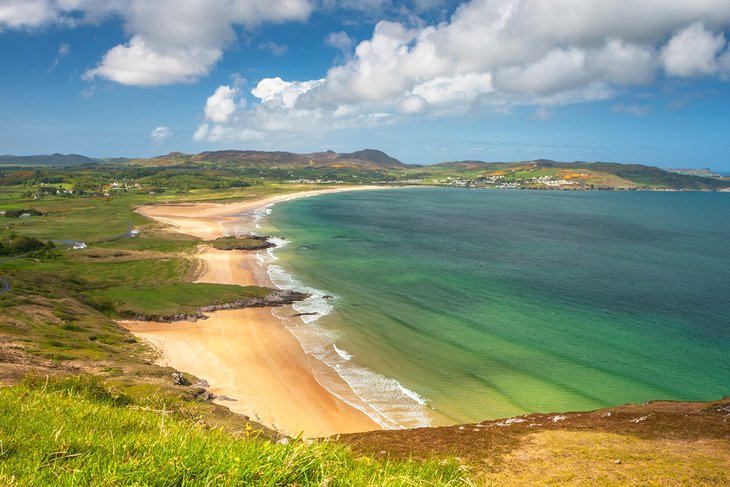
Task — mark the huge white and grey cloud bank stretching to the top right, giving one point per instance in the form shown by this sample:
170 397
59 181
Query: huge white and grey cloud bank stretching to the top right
494 55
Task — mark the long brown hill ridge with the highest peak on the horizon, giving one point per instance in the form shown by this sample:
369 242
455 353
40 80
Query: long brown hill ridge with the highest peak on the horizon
364 159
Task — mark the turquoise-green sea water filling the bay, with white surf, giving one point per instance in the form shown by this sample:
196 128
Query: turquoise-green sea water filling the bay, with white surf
486 304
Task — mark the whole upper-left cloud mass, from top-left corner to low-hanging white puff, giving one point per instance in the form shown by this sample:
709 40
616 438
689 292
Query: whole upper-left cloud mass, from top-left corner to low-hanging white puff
170 41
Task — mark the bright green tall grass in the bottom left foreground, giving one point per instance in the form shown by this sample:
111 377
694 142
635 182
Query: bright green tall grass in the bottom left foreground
76 431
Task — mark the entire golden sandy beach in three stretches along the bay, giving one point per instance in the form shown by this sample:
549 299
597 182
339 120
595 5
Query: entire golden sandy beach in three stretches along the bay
246 354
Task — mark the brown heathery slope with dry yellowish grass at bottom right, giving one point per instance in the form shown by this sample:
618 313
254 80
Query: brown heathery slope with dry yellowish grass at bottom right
657 443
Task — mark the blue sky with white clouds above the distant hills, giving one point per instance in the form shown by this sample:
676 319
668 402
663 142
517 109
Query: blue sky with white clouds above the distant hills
424 80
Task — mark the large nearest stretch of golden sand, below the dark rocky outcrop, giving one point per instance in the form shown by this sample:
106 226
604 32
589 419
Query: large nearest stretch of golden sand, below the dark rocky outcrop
248 355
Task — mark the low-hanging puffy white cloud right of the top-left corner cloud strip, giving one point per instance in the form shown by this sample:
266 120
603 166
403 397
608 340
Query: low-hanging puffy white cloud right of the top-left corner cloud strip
177 41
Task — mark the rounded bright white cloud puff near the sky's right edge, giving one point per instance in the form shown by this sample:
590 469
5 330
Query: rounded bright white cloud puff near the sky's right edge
693 52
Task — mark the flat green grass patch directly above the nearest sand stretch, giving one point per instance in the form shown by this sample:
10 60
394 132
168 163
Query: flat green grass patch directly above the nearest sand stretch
170 299
